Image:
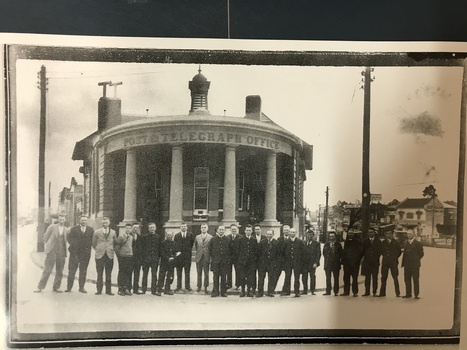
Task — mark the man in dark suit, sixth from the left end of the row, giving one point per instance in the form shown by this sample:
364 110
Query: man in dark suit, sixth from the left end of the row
151 253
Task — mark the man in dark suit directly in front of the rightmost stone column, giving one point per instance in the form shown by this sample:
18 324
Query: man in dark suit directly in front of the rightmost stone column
269 252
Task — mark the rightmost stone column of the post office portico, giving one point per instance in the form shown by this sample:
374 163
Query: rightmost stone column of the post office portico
270 201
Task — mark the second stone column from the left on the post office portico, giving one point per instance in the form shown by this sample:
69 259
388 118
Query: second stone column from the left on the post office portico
176 189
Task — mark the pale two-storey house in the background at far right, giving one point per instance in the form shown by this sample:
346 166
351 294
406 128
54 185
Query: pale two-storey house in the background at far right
420 215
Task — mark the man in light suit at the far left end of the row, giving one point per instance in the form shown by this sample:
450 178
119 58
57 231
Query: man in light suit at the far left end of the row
55 250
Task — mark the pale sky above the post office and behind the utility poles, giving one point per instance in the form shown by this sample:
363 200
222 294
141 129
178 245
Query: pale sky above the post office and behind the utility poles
415 116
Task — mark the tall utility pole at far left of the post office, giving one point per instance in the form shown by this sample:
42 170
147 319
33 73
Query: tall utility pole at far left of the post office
41 187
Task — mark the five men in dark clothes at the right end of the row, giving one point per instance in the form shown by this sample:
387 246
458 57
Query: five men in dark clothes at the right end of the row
368 254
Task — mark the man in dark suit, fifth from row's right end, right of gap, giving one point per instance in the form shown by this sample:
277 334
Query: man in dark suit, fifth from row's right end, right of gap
332 252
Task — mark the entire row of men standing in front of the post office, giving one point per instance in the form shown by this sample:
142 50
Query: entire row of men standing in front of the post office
252 256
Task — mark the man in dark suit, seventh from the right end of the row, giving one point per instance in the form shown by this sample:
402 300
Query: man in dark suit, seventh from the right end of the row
293 253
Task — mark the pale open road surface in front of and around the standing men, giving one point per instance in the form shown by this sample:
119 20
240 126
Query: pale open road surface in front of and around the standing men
52 312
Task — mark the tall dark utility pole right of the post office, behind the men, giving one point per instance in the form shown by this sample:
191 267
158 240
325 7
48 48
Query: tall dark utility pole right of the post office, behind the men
366 151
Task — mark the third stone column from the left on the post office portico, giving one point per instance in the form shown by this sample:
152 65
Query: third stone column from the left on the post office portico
230 181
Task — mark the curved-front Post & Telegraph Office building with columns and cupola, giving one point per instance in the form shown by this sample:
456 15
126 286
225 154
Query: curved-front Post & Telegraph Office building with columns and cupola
196 168
